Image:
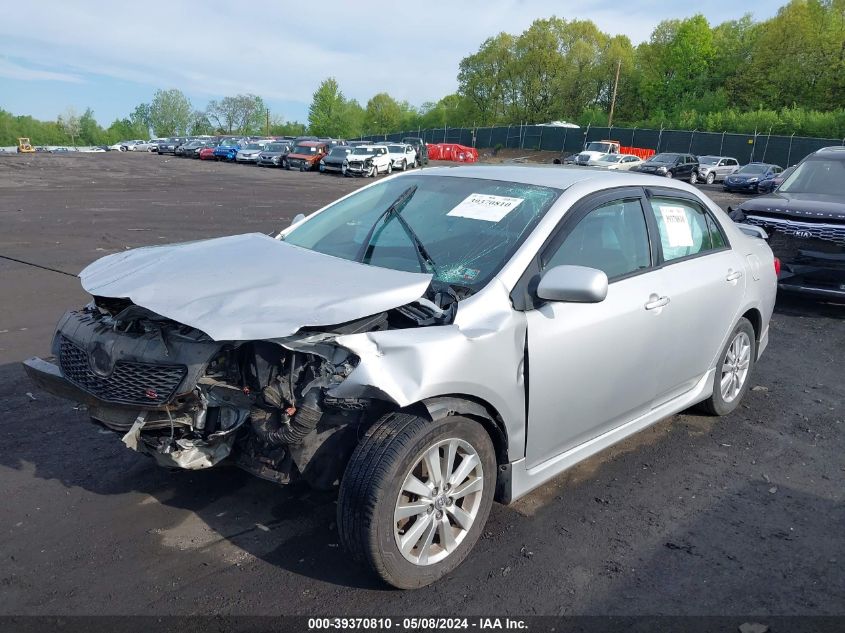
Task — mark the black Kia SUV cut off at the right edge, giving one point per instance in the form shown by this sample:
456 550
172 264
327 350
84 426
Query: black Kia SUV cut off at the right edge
805 223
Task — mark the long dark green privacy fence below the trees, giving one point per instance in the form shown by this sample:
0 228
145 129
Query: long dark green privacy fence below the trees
781 150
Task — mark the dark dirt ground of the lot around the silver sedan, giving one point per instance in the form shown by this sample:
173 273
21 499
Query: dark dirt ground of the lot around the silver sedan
696 515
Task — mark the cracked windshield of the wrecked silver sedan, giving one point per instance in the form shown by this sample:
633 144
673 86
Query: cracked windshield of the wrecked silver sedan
470 226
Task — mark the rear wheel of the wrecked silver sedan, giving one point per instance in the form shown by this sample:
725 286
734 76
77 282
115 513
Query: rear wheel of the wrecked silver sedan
735 366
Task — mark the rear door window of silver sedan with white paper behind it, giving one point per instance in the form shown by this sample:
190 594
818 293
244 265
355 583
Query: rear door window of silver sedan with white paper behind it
685 228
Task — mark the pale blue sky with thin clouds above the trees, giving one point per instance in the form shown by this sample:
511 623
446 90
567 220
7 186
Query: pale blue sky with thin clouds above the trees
112 55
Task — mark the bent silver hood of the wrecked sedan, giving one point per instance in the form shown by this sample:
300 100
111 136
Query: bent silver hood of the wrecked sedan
248 287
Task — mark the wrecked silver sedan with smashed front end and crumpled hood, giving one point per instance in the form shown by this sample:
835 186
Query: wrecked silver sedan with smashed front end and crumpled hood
427 343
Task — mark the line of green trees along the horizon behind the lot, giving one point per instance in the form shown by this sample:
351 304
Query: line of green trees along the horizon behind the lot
783 75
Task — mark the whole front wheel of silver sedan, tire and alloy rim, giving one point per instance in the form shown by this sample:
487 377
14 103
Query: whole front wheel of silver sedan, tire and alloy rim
416 495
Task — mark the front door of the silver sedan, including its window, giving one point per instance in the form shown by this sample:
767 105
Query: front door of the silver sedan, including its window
593 366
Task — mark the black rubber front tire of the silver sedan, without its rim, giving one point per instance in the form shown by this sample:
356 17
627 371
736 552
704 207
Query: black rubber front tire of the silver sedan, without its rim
372 483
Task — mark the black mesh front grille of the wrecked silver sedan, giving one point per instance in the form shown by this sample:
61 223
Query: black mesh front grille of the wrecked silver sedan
142 384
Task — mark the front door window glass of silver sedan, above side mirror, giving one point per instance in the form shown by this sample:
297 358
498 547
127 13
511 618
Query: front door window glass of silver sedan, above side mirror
612 238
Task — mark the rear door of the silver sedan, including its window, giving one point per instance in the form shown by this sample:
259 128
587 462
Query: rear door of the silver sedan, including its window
703 281
